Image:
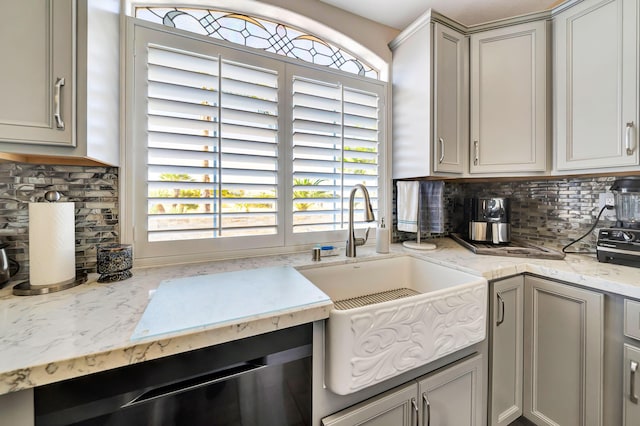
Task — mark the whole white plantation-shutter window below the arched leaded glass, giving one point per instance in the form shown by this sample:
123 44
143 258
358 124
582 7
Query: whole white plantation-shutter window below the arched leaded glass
229 150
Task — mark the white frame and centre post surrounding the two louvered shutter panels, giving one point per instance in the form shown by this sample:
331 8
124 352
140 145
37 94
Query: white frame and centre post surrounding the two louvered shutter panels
133 181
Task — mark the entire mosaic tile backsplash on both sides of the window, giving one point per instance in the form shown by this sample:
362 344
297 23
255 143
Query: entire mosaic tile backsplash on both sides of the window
548 212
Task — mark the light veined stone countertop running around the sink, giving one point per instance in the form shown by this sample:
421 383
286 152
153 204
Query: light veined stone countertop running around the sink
89 328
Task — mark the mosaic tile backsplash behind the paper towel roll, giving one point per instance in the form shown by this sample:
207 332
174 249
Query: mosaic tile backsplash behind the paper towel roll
94 190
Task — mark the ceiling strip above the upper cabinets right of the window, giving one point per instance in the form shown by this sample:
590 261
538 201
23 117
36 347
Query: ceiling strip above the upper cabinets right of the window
400 13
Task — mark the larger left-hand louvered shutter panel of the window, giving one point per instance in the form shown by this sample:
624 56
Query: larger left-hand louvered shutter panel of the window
212 147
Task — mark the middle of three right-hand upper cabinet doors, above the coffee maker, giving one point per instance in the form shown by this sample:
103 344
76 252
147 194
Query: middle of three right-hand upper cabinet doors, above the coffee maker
508 99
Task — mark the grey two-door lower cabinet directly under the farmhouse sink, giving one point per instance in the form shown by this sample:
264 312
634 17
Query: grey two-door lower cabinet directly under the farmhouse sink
450 396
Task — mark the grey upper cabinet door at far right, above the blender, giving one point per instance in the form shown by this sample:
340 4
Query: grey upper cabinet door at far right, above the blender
595 99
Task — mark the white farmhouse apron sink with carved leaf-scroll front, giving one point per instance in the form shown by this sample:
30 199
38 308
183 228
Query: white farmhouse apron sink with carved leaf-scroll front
442 310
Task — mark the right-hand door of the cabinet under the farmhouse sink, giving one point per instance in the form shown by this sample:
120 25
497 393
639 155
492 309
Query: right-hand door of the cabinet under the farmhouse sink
453 396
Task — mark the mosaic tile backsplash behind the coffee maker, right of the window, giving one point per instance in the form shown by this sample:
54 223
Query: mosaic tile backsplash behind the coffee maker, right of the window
546 212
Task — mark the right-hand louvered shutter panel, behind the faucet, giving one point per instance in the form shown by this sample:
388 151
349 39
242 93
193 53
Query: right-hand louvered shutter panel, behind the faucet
335 146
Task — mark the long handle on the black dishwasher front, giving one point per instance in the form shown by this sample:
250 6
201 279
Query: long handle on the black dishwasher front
196 382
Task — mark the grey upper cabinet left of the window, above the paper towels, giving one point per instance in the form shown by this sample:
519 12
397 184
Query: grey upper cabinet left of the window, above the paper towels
60 82
